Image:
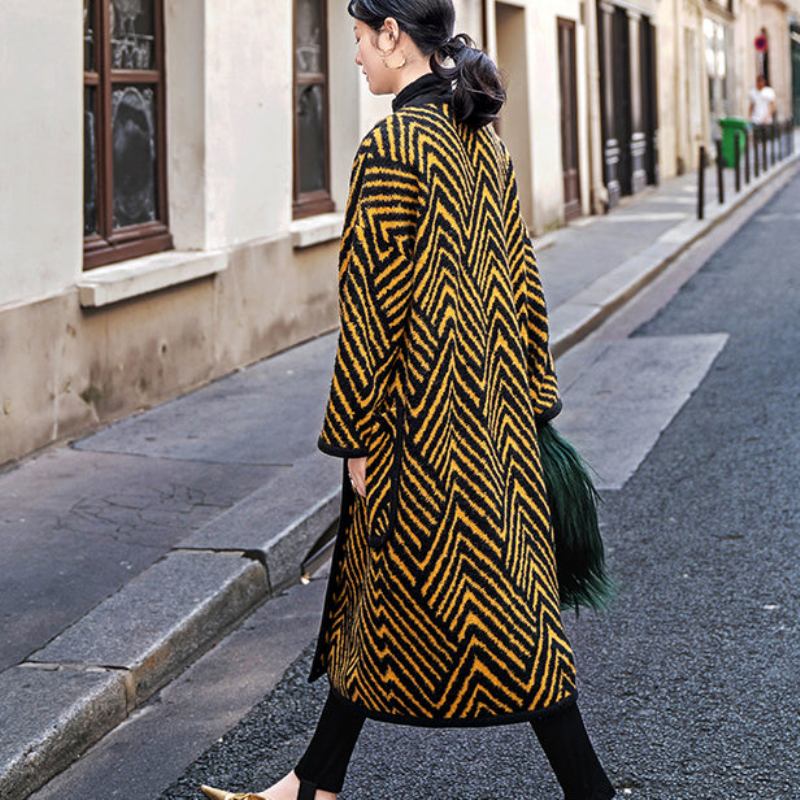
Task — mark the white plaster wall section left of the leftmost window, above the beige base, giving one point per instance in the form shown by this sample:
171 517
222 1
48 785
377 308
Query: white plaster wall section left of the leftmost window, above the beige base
41 134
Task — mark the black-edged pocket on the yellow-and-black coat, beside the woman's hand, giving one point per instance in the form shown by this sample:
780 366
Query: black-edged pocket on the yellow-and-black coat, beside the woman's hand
383 477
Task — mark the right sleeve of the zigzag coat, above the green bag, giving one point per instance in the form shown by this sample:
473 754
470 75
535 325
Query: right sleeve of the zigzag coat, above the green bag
522 261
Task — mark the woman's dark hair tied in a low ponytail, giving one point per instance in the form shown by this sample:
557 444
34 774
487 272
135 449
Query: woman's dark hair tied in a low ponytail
478 94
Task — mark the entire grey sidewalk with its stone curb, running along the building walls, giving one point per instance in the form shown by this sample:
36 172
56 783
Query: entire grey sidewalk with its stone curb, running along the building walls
127 554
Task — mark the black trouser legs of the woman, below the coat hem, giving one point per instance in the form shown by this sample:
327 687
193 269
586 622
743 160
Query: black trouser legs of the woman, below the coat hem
561 733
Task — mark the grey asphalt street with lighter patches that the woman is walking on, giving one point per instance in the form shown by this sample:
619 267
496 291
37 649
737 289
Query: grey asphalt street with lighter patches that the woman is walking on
689 683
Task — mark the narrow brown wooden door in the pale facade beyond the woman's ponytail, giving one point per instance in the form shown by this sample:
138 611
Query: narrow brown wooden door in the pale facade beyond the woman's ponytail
567 72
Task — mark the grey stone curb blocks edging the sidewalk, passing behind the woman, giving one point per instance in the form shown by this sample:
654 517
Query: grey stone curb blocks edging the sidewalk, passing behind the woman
89 678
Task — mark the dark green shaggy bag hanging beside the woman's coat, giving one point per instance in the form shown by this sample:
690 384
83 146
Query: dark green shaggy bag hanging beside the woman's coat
580 557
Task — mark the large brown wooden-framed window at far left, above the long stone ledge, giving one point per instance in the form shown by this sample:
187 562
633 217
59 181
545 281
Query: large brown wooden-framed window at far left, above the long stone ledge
124 176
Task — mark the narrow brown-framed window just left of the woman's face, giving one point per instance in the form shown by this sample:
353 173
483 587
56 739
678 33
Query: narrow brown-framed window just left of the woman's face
311 137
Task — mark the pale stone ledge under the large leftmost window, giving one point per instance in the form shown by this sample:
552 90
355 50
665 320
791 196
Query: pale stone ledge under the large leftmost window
137 276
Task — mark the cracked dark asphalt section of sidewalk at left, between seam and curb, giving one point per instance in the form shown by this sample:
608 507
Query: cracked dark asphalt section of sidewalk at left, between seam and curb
76 526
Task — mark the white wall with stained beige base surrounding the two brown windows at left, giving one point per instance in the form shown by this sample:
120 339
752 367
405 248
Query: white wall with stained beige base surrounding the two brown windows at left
65 368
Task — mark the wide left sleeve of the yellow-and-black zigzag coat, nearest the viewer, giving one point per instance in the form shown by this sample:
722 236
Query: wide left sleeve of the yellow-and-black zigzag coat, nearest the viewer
376 265
